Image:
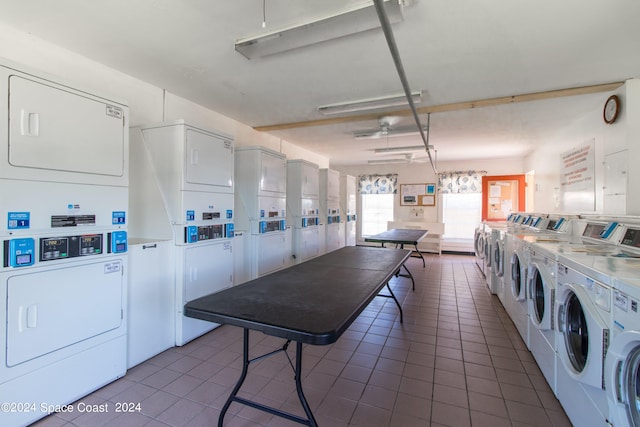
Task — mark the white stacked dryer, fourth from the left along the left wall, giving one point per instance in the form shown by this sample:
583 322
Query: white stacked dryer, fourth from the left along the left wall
303 192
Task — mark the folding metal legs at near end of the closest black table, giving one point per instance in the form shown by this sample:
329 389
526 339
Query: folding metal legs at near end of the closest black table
310 420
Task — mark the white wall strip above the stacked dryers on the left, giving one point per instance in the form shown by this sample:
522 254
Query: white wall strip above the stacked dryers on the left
147 103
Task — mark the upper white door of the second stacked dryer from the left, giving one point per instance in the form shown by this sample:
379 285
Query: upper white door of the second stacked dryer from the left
209 160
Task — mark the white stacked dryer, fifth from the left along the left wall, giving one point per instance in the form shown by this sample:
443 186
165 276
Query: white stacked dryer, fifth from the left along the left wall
330 209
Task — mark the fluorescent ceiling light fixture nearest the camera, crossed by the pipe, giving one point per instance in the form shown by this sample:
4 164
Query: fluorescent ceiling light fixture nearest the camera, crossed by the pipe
353 20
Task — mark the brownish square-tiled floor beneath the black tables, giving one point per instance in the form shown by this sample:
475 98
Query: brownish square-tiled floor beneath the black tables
456 361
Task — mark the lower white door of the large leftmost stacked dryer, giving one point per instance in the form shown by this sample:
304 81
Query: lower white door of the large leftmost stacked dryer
50 310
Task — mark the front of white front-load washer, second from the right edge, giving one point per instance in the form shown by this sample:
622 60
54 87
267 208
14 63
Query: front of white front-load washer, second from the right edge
583 317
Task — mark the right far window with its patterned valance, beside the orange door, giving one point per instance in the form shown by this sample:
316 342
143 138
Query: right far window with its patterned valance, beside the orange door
461 202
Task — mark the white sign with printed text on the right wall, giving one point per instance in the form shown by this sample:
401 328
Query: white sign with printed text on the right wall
577 178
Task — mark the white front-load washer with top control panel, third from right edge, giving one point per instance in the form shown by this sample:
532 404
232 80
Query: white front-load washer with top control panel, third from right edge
542 284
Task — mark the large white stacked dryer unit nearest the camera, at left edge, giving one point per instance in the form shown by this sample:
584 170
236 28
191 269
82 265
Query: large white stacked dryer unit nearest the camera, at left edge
64 205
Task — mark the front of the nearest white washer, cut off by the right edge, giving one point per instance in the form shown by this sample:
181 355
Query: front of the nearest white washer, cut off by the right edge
622 363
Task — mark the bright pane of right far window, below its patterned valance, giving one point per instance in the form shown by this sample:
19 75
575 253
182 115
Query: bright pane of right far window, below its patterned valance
461 212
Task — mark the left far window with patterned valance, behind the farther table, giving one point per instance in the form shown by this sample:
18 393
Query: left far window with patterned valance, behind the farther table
377 197
